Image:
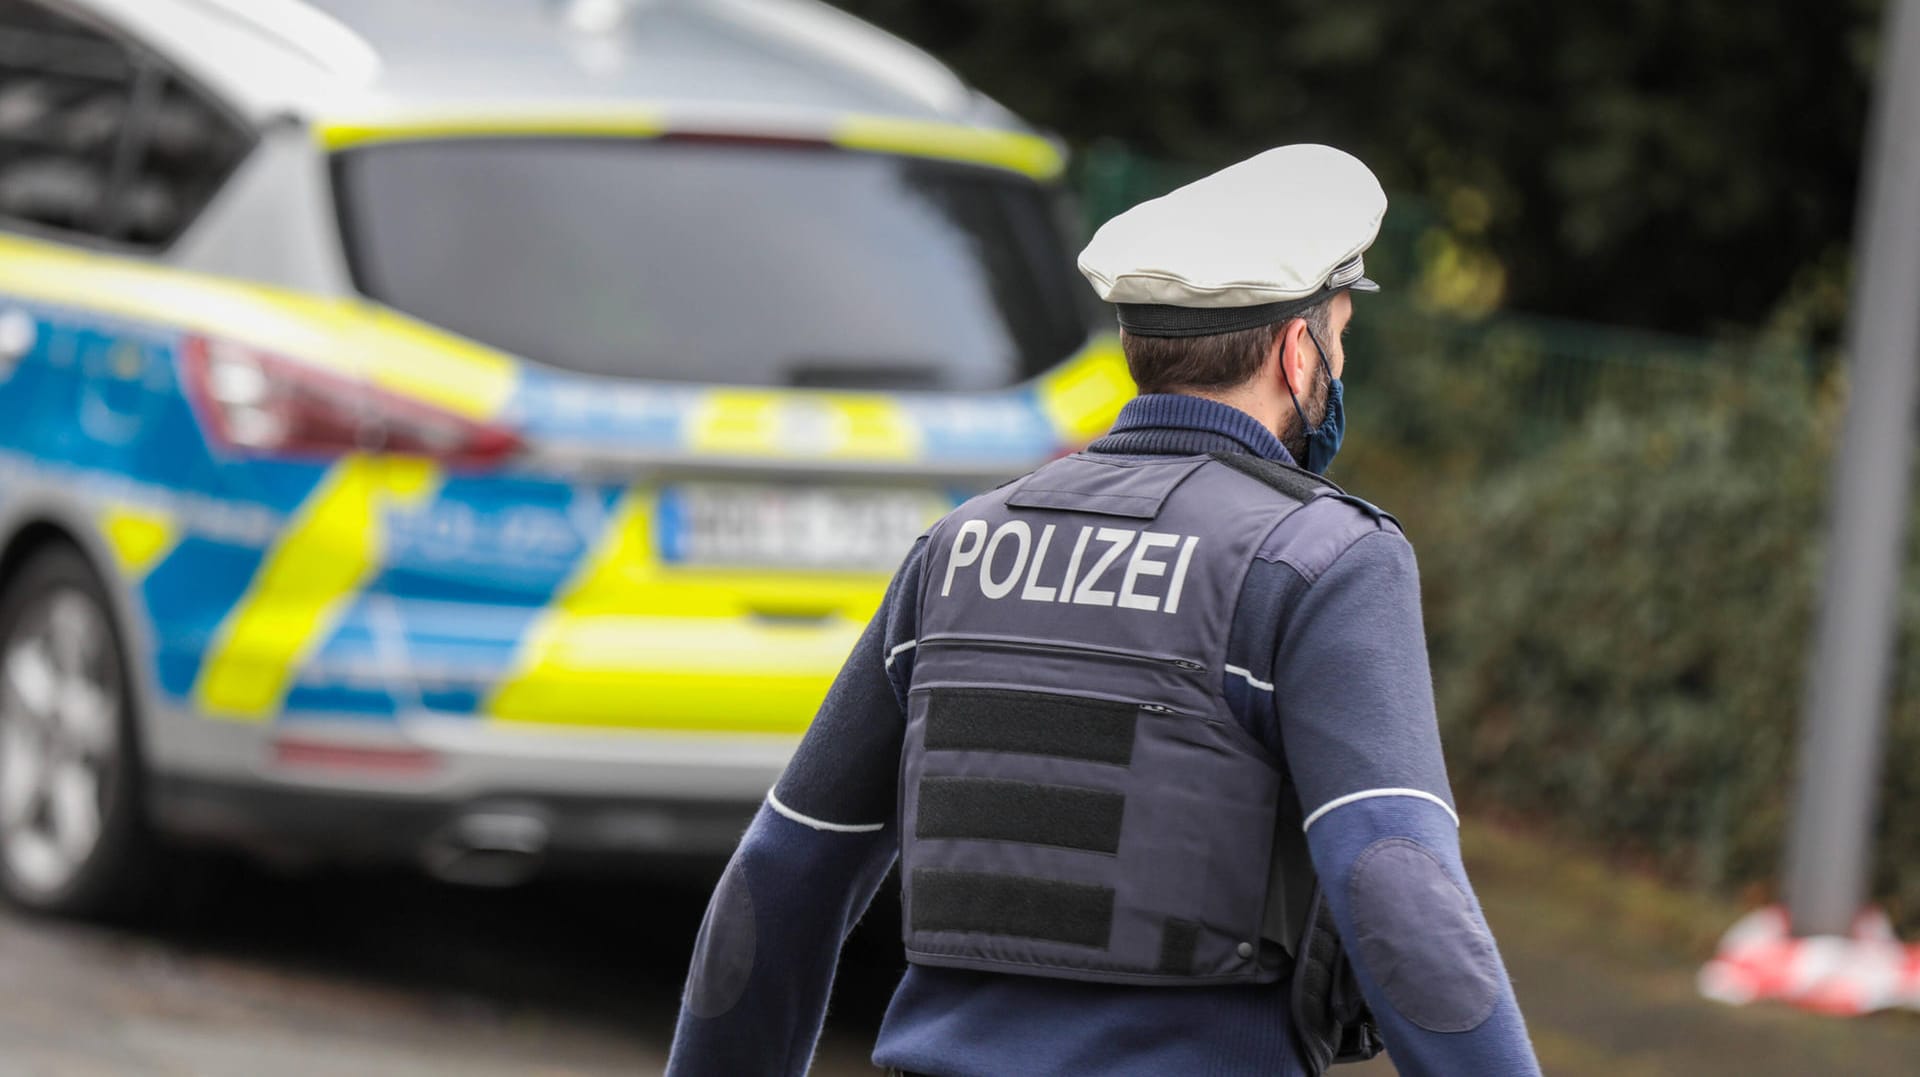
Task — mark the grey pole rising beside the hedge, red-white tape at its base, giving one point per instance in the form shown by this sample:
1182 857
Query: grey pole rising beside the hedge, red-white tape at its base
1831 844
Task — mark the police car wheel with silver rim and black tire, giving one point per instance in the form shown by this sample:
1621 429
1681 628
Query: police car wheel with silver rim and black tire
72 832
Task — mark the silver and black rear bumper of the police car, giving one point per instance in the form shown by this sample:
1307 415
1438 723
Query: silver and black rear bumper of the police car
431 792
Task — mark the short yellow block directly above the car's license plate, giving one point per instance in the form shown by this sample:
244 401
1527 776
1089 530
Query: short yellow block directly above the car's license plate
802 425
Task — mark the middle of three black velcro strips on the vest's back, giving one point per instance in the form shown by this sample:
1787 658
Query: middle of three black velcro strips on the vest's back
986 809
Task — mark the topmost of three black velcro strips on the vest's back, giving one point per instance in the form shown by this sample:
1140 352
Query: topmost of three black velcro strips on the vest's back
1030 723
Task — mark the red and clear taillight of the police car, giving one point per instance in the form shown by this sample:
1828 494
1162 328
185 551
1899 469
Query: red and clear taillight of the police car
268 404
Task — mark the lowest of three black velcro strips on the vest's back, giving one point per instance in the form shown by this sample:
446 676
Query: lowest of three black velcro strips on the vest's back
1013 905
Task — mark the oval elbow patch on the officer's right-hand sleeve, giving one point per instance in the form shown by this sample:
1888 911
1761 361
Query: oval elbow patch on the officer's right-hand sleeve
1420 938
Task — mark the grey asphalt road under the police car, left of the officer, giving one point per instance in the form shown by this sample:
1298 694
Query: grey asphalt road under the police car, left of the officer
350 974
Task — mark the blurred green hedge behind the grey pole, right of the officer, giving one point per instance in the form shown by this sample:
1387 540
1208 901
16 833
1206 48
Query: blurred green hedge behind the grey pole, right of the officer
1620 615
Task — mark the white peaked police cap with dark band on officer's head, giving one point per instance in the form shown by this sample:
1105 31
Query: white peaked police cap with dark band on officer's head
1251 245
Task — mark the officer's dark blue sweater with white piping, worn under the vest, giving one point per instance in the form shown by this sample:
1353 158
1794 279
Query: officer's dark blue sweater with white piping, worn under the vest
1335 682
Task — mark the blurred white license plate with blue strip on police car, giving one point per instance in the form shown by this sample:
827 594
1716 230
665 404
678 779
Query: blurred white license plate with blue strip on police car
794 527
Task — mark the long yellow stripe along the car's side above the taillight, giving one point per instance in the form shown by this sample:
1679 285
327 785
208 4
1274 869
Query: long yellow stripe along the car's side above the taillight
416 360
